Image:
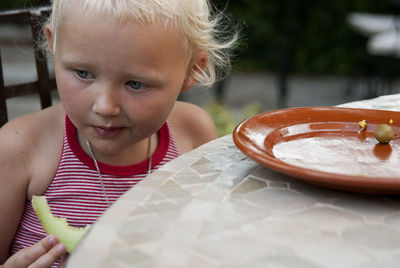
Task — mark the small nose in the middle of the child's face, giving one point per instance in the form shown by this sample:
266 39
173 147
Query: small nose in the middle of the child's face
106 103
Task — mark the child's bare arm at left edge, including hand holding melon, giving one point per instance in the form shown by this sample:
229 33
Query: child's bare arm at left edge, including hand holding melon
18 145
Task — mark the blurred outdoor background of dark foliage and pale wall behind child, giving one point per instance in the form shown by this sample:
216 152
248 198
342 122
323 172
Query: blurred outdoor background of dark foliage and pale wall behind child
292 53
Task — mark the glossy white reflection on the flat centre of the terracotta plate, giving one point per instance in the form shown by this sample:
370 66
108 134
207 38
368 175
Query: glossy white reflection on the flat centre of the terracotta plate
346 155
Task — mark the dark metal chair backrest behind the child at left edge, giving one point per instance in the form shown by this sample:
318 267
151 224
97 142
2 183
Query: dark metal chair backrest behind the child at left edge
44 84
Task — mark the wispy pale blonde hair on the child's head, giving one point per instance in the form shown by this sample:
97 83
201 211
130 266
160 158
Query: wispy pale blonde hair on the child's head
201 29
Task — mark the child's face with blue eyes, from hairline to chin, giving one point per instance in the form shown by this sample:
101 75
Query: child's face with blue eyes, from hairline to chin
118 81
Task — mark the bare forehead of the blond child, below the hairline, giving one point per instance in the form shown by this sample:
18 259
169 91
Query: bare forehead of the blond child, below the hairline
107 42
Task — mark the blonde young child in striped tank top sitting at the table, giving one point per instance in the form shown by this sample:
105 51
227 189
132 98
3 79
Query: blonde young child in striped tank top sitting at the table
120 65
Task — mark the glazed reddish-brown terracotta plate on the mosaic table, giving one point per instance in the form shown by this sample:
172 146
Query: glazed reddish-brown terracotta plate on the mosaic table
324 146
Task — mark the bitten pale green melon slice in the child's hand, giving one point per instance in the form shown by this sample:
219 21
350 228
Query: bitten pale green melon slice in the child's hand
66 234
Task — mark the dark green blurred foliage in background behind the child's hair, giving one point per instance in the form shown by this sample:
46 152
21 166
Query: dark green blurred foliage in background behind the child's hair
302 36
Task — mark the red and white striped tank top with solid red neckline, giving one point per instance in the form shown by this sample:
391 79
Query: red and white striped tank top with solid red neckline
76 193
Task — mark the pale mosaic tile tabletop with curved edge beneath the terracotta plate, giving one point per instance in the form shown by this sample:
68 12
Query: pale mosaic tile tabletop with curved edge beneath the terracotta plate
214 207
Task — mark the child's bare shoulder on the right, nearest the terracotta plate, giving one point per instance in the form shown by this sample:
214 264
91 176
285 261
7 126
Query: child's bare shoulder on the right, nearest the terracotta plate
191 126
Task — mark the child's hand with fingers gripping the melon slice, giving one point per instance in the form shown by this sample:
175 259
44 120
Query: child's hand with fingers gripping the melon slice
42 254
